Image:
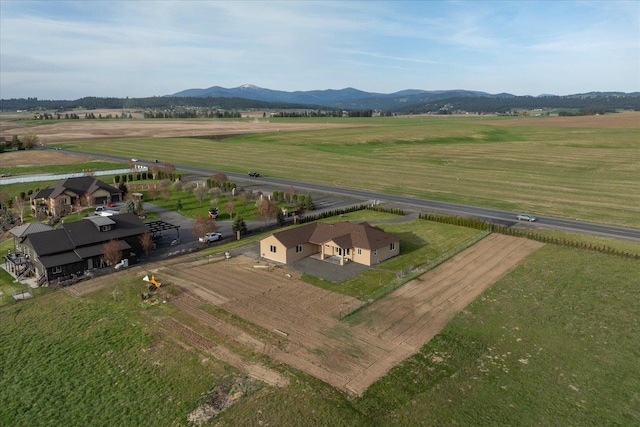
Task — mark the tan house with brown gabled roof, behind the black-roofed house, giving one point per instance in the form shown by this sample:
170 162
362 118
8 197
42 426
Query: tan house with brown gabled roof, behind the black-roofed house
73 192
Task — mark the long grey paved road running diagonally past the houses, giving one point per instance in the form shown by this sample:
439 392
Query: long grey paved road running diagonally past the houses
494 216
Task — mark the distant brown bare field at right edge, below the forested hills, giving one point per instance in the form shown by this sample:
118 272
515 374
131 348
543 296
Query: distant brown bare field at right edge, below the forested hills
625 120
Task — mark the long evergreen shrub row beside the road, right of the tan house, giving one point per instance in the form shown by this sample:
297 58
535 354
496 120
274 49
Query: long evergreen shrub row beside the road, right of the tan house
529 234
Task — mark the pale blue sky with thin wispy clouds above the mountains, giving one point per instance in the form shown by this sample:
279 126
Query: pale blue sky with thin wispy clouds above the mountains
66 50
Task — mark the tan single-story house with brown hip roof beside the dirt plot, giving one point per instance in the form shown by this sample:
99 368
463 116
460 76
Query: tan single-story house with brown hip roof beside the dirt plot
361 243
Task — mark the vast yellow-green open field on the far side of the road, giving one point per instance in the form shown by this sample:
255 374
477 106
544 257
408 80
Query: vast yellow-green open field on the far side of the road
581 173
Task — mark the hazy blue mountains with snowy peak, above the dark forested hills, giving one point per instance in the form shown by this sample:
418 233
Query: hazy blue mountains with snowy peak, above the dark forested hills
405 100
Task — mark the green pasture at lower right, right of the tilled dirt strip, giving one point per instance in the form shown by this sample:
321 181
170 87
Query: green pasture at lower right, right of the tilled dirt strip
554 342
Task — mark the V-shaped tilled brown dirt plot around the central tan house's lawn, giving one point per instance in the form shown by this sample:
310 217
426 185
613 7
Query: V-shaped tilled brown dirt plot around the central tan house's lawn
305 320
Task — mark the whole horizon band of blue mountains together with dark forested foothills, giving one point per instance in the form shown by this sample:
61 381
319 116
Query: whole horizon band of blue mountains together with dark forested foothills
361 103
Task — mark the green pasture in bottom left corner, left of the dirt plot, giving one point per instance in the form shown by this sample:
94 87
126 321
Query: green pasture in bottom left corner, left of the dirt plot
87 362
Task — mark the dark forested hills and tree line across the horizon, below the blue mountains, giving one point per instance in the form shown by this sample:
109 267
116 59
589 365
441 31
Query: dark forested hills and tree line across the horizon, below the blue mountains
493 104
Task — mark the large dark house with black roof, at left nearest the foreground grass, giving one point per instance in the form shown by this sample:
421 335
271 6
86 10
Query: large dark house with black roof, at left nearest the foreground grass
77 246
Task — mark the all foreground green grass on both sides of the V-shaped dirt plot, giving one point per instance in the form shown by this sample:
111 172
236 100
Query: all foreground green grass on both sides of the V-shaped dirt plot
552 343
